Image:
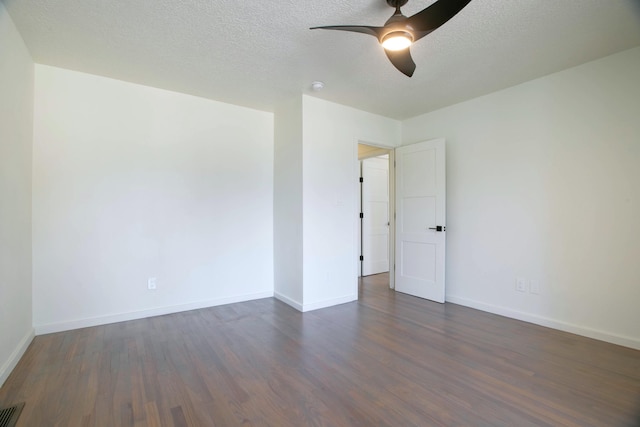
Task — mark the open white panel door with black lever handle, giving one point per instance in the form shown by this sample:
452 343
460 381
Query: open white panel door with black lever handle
420 219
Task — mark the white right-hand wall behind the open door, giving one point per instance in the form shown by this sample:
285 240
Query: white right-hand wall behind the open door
542 183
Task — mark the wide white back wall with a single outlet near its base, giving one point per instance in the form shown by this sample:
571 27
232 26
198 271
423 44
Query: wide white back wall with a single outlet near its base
132 182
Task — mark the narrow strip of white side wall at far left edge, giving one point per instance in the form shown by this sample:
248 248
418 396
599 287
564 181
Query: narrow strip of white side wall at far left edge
16 115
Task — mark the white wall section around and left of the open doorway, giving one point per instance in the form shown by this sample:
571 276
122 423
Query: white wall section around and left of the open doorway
330 134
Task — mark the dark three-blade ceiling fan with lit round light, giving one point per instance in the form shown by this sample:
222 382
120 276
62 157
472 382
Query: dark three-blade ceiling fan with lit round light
399 32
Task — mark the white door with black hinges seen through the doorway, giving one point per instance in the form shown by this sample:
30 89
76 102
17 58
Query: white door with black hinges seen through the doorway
375 208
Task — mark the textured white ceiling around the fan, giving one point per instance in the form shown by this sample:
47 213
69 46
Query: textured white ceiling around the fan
256 53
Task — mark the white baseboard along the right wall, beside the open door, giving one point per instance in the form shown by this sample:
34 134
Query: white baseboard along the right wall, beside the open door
550 323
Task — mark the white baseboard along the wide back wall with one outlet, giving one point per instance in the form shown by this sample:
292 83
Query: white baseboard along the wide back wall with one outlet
49 328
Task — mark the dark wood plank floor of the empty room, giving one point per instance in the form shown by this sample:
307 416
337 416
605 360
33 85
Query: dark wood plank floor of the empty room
387 360
